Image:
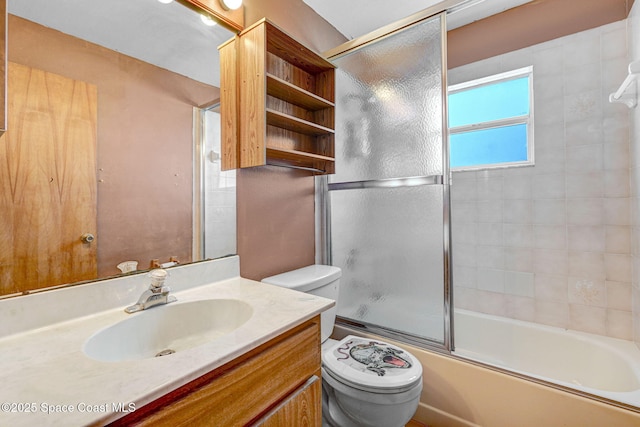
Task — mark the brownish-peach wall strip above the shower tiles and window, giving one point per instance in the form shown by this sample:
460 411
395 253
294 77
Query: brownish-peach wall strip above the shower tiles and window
530 24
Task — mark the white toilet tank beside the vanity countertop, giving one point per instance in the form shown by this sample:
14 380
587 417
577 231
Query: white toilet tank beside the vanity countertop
320 280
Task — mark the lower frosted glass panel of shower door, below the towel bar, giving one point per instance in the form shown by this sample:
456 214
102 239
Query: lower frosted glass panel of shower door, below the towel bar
389 244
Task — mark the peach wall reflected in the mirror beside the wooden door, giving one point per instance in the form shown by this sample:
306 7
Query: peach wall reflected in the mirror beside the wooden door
145 117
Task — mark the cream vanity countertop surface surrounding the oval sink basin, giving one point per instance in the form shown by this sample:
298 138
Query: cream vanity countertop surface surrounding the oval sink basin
48 380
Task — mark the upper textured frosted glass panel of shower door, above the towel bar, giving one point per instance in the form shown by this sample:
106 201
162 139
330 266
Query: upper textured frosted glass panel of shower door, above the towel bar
389 107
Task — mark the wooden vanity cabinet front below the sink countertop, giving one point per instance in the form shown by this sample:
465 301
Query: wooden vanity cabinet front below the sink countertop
276 384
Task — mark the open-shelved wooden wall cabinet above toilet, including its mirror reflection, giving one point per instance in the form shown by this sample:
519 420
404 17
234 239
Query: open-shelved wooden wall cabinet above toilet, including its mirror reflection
285 111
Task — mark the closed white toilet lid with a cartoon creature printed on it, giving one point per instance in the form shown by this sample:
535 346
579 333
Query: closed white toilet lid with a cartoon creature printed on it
372 364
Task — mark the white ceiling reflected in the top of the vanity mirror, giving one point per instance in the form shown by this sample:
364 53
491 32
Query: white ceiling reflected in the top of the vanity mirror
170 36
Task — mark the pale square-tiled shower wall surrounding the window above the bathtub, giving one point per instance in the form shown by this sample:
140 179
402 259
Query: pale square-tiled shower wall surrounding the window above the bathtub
551 243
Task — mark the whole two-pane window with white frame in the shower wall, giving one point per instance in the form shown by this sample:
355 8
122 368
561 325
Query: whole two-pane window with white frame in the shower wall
491 121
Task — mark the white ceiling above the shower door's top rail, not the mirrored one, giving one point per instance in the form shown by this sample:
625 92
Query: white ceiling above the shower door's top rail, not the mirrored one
354 18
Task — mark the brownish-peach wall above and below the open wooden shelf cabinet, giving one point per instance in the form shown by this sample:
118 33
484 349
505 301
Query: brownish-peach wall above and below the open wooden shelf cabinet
276 205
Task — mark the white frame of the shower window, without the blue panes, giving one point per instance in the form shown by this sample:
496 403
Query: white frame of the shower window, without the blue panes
526 119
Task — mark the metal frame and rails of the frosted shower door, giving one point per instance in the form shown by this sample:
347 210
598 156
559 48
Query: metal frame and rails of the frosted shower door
323 202
